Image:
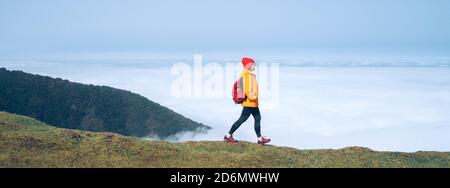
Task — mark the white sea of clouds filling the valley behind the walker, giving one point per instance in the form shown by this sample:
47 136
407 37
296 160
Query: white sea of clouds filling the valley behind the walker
399 106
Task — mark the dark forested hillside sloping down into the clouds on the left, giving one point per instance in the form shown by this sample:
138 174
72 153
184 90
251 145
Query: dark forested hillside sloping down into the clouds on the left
87 107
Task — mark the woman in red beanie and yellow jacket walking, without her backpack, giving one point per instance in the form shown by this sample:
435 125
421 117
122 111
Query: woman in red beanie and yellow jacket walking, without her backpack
250 105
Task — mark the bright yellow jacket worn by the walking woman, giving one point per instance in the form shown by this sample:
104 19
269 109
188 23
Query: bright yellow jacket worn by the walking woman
250 88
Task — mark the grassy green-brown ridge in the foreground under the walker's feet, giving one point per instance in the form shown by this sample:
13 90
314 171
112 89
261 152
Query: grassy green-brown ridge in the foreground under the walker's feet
26 142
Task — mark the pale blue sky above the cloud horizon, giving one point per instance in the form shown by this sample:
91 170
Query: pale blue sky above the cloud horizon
350 26
